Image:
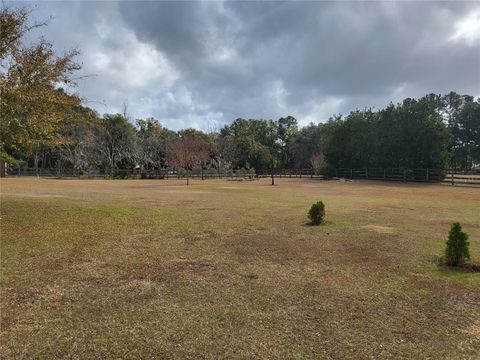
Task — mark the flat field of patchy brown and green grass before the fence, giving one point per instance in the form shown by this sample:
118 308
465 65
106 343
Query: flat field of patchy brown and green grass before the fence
97 269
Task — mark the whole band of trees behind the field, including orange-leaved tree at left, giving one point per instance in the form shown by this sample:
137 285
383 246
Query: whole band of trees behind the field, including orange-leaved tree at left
45 124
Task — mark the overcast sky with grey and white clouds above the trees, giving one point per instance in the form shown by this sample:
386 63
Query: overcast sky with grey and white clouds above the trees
203 64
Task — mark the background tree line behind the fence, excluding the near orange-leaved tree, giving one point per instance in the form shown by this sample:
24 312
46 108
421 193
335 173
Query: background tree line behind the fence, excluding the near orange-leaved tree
412 134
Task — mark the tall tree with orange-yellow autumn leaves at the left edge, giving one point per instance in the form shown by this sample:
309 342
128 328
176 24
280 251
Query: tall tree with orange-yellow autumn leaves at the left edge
32 106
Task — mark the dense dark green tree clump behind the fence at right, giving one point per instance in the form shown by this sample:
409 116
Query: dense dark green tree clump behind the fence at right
431 132
